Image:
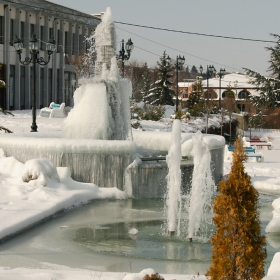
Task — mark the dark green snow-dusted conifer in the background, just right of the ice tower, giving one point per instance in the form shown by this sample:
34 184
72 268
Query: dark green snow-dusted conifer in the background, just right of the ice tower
160 92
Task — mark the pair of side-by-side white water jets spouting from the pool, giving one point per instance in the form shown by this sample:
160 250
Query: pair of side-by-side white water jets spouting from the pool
192 211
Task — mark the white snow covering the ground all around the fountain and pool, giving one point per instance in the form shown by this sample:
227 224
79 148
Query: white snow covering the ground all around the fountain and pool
35 190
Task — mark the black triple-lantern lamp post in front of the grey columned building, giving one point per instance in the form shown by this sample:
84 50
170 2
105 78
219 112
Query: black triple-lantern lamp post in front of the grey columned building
34 51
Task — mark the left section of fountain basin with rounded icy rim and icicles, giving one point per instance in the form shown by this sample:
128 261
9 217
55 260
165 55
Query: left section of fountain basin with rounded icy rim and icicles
101 162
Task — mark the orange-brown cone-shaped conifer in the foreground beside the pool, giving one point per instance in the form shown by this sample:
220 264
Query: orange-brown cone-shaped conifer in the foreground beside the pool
238 247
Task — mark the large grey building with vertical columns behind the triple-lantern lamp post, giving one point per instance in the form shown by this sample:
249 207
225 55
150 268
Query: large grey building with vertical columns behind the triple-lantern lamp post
55 81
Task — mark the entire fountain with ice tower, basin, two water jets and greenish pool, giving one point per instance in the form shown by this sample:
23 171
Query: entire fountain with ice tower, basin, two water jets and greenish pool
97 145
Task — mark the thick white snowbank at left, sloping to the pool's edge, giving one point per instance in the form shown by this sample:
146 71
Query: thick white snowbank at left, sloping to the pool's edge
38 190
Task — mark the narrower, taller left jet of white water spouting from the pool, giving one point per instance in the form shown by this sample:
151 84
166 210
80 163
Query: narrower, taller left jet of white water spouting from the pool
173 196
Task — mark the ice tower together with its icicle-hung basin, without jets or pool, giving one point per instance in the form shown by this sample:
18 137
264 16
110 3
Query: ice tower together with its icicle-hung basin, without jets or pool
97 143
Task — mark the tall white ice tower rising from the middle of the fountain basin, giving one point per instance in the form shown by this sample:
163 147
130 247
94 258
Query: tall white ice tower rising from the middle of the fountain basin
101 103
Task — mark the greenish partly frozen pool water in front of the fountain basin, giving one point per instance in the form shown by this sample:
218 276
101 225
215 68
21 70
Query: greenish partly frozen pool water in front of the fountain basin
96 236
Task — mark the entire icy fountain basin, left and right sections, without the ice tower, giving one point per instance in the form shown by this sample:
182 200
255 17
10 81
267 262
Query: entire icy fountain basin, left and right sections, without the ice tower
105 162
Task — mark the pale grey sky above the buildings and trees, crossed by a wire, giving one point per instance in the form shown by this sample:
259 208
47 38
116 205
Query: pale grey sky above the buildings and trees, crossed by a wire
253 19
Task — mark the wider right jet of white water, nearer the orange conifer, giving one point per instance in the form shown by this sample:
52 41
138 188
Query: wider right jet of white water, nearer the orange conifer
202 191
